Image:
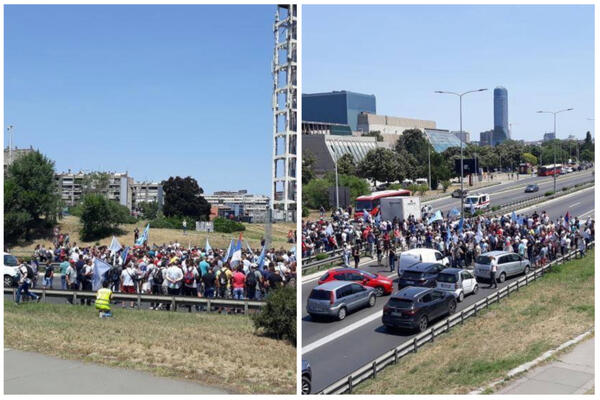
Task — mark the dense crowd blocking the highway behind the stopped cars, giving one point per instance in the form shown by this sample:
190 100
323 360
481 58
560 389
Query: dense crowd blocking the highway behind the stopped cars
534 236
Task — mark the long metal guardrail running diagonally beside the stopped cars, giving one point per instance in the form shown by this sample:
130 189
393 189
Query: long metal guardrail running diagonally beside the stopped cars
371 369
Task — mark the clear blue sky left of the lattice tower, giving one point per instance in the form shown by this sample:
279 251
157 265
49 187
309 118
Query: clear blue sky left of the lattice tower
157 91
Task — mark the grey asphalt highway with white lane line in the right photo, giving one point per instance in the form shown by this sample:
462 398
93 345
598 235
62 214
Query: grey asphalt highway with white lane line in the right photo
336 348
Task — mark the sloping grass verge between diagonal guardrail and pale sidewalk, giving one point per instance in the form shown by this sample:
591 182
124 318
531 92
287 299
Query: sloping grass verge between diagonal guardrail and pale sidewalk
538 318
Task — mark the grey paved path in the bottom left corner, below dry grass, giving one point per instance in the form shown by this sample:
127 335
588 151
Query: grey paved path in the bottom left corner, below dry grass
33 373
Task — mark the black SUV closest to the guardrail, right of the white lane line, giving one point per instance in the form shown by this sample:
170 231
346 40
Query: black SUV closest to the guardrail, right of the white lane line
415 308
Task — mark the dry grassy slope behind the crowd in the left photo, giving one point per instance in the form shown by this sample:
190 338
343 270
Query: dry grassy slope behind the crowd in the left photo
252 234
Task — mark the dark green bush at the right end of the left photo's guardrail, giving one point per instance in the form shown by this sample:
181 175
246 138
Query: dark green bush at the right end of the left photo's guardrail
277 318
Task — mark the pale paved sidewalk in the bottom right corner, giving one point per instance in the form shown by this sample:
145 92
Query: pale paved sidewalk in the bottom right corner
572 373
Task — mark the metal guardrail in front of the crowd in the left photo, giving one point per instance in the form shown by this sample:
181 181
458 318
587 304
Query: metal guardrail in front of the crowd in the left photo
174 301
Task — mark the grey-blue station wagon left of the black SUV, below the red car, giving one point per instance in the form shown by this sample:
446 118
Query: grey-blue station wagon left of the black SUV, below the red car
338 298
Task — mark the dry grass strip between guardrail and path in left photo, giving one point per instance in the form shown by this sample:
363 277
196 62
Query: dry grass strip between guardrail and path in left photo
215 350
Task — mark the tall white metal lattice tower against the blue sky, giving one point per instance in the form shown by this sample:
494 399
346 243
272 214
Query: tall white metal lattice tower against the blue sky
284 112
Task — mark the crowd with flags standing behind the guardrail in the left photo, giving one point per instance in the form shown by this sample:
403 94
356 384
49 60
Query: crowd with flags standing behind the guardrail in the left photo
171 269
